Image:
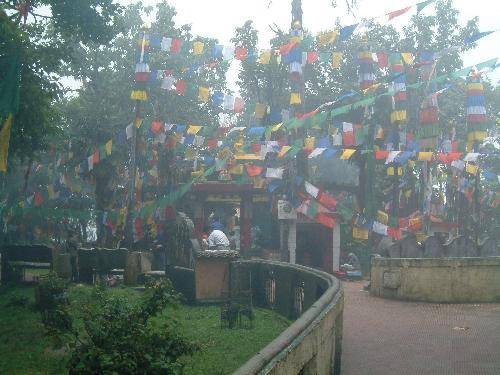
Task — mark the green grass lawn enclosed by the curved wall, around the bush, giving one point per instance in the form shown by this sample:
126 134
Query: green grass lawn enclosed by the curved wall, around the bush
24 349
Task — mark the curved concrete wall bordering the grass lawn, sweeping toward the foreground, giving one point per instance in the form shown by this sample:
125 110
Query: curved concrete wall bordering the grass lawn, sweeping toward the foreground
313 343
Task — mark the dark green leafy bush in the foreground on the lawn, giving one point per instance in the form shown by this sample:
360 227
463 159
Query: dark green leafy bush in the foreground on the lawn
119 339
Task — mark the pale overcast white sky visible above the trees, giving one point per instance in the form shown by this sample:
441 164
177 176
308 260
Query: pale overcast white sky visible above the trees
219 18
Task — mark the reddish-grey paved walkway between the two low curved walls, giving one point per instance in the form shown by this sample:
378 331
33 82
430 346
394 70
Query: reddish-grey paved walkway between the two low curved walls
392 337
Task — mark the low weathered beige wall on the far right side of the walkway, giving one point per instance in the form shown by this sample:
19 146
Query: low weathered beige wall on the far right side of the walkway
448 280
